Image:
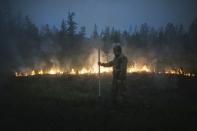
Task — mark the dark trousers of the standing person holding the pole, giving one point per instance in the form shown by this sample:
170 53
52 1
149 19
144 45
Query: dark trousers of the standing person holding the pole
118 90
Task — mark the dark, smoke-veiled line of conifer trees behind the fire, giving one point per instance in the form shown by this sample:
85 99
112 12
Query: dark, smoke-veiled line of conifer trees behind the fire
23 44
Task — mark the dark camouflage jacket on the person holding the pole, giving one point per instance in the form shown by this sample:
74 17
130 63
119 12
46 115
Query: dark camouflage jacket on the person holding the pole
119 65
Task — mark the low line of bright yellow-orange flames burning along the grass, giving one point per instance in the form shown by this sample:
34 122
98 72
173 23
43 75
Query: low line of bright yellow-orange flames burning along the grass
94 70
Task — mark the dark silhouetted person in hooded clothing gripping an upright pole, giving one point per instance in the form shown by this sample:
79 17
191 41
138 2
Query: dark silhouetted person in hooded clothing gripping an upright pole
119 64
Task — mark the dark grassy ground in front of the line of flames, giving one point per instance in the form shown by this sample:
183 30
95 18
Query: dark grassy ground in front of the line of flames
154 102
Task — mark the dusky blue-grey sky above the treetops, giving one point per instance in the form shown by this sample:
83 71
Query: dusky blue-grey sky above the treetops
118 13
